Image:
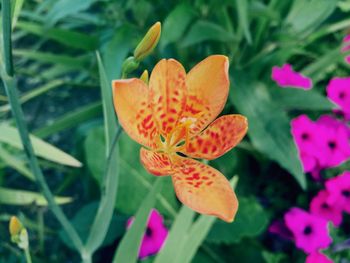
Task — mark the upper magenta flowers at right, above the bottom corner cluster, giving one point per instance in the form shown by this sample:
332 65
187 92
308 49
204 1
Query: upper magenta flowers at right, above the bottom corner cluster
324 143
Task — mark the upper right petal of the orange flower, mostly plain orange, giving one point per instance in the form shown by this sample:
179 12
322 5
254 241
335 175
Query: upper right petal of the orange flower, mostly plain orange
208 85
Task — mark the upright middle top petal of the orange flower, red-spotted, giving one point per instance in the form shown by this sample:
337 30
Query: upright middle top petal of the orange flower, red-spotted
167 94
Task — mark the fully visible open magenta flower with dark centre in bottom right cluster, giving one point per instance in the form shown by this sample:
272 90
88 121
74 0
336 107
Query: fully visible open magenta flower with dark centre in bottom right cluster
310 231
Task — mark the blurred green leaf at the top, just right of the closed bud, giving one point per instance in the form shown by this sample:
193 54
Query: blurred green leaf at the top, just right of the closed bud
176 23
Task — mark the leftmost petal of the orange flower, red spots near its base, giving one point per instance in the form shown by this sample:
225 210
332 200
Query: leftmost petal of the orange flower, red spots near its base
133 110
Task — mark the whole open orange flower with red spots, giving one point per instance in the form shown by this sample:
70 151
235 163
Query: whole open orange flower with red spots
175 114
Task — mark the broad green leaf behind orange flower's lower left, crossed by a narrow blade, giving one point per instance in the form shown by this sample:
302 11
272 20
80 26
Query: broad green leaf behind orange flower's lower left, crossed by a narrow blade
135 182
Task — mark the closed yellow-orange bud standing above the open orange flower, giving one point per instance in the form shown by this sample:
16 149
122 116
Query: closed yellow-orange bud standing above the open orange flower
148 43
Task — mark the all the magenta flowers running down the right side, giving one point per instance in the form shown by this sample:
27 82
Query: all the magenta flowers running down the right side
321 144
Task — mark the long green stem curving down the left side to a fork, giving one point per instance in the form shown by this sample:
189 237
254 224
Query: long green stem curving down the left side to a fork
12 94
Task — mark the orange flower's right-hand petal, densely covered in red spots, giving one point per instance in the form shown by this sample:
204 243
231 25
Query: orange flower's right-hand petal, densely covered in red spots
220 136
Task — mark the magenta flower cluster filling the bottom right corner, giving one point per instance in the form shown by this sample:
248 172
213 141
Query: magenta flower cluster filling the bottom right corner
309 229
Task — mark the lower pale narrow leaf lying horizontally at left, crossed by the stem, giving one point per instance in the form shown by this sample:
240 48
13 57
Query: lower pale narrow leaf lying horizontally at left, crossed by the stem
21 197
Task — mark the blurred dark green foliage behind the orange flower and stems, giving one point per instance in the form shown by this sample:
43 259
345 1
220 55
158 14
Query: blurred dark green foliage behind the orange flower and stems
54 45
